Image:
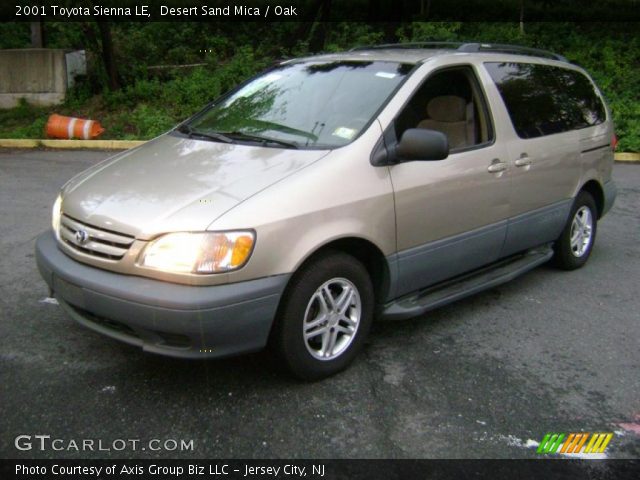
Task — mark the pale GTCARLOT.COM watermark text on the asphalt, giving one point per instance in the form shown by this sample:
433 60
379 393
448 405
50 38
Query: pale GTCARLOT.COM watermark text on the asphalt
48 443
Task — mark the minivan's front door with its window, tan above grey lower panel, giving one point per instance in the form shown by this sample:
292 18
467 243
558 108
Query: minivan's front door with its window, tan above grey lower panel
451 214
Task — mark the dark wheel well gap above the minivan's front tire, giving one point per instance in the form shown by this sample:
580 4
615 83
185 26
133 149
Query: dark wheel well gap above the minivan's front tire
366 252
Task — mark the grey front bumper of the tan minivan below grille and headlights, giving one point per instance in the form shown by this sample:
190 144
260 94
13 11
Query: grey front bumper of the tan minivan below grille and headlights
170 319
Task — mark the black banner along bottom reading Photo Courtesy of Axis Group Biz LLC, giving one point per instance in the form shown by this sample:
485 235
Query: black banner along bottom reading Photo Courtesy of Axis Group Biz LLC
320 469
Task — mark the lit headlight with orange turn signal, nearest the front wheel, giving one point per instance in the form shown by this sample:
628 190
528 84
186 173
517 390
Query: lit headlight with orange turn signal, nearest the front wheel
201 252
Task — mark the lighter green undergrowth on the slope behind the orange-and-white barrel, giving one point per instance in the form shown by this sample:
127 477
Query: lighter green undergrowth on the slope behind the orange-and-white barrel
142 110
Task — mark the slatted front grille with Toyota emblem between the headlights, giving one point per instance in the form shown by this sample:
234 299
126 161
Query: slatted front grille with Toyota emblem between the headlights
92 240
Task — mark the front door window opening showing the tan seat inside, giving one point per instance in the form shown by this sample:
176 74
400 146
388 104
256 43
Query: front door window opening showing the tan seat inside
449 101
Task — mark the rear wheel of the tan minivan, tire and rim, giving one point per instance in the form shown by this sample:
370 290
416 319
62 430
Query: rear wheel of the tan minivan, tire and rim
582 226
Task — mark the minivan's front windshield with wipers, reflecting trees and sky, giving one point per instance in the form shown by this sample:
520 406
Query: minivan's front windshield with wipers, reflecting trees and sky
310 104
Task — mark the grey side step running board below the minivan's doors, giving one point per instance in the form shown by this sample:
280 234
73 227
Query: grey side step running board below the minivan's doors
418 303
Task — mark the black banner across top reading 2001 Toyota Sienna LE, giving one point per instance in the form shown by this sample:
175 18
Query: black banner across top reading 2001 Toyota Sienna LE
323 10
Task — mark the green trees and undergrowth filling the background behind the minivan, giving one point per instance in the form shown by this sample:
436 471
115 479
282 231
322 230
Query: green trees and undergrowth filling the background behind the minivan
152 93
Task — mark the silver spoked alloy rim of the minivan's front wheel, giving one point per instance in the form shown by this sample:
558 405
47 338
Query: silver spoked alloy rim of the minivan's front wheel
332 318
